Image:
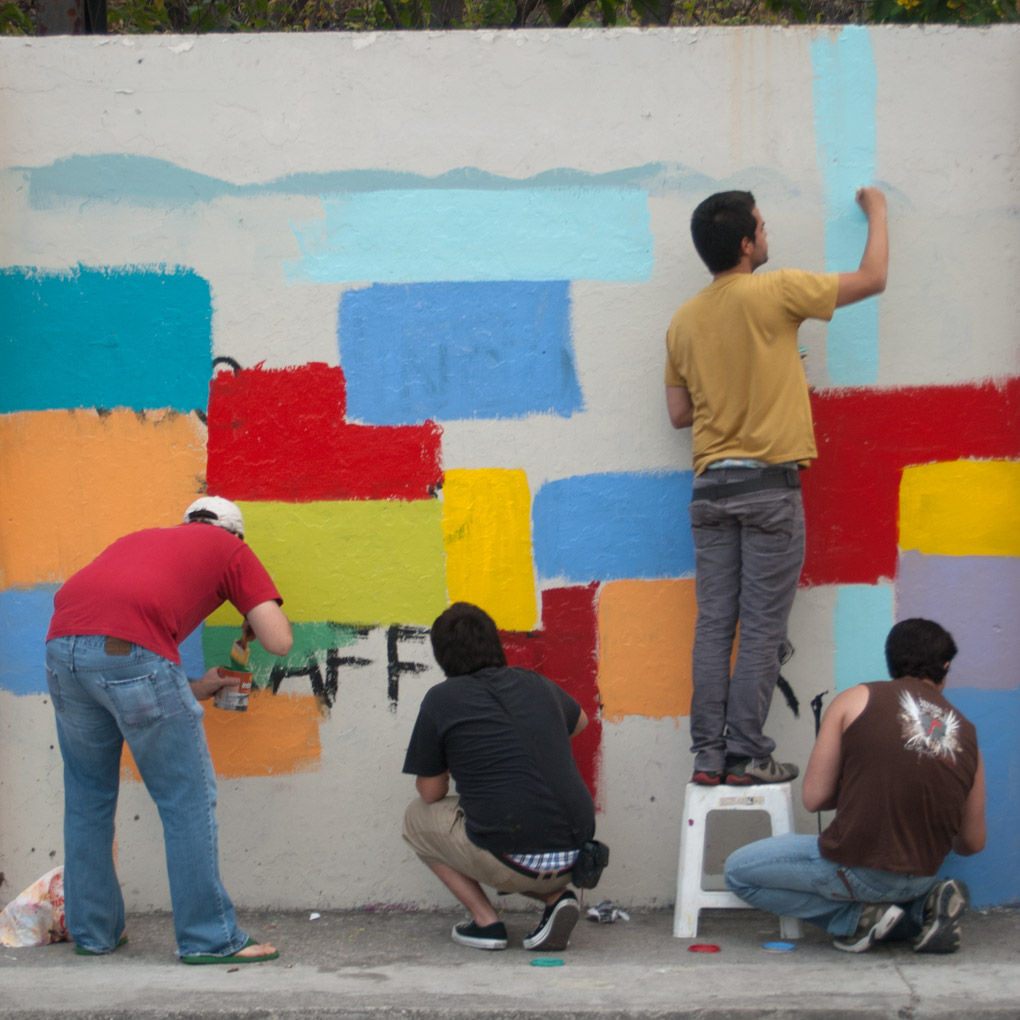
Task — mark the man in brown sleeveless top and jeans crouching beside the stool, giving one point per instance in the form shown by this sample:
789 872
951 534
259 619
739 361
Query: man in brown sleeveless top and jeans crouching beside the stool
902 770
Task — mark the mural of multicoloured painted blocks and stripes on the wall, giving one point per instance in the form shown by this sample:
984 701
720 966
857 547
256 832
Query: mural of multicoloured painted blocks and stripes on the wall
456 304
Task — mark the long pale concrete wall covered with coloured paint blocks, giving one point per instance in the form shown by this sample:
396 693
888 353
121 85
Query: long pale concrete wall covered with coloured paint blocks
403 297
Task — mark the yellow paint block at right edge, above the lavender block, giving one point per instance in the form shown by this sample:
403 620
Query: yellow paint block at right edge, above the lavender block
961 508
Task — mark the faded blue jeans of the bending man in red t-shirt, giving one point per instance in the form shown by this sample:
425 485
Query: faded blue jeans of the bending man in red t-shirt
100 701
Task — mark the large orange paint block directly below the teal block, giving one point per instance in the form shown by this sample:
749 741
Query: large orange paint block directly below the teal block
75 481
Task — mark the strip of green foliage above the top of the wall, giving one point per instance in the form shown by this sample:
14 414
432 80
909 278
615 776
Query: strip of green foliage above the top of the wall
17 17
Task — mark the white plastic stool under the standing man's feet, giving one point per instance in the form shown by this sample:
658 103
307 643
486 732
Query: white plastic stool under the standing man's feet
775 799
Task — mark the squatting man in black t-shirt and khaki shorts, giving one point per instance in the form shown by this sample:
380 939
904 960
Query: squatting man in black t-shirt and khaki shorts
523 809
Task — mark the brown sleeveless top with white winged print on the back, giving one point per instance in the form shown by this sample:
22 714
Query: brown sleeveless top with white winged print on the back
908 766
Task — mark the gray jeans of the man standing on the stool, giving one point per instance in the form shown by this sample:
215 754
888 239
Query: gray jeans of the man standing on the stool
749 551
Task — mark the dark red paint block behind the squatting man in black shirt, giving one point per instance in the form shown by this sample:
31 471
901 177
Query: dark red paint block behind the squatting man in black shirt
567 651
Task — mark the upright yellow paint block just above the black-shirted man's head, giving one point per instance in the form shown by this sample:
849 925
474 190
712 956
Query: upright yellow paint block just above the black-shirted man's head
487 532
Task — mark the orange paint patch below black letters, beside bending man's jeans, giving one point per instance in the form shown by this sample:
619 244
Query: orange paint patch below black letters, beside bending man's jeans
278 736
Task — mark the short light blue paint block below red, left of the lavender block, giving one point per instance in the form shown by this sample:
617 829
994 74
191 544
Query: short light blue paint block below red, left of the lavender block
863 619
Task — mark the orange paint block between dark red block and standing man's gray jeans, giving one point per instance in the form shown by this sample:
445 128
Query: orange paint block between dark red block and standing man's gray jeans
646 634
